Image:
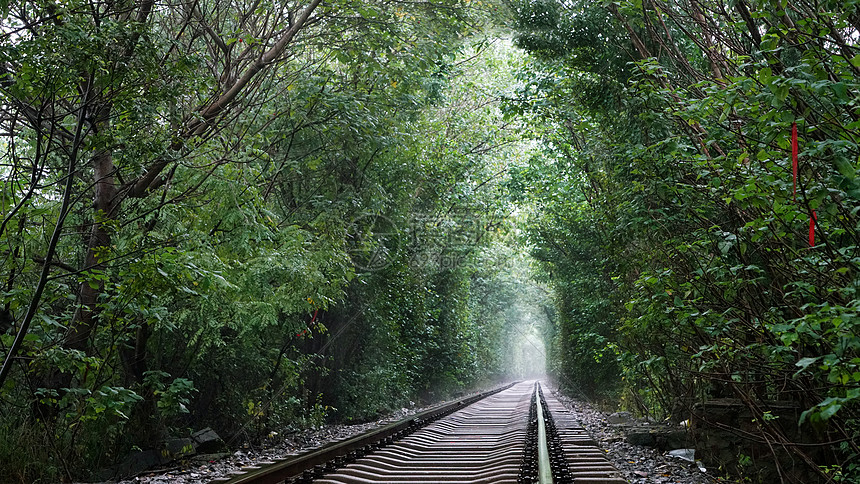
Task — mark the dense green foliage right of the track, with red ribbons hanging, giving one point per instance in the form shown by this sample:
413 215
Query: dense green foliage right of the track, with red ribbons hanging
686 254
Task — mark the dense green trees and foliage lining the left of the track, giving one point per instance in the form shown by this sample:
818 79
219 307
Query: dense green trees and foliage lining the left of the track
244 215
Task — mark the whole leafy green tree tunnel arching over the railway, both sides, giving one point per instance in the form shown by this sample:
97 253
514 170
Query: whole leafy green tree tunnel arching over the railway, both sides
261 214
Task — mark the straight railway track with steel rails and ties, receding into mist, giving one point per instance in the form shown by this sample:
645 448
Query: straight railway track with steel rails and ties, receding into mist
515 434
